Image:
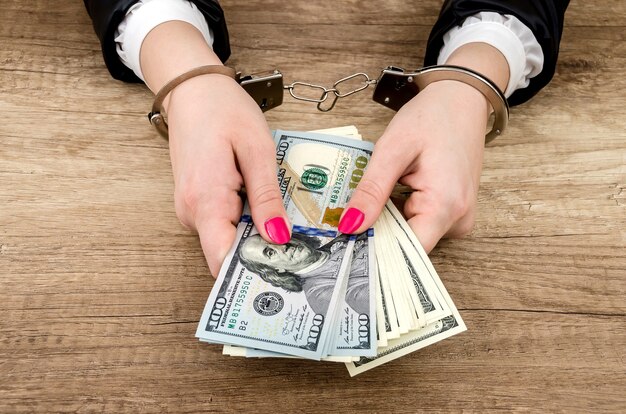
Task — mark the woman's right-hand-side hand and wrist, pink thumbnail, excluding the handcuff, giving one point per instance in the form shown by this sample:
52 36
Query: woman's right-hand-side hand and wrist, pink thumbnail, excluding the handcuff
434 145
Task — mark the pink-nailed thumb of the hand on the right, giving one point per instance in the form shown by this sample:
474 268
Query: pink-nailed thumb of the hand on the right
372 192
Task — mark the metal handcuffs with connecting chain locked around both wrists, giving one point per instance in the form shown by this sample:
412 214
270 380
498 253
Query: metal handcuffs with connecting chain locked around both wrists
393 88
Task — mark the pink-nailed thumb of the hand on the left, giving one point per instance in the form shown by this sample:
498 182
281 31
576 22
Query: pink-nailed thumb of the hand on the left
256 161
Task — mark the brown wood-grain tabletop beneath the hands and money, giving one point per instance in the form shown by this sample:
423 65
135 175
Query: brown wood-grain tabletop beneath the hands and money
102 288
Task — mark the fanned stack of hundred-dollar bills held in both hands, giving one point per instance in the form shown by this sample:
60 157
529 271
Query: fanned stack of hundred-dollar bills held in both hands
363 300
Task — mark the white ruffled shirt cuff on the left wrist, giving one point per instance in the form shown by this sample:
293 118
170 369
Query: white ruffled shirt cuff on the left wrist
144 16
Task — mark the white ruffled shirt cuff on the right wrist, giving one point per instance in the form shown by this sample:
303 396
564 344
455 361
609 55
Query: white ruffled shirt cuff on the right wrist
507 34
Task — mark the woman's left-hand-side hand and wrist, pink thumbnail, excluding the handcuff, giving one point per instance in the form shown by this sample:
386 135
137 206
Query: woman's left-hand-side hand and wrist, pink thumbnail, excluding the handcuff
219 140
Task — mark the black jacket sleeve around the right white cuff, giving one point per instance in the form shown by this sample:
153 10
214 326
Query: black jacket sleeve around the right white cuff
543 17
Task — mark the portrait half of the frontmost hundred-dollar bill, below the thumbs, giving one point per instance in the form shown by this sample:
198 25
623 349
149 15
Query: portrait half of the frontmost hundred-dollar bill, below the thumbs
279 298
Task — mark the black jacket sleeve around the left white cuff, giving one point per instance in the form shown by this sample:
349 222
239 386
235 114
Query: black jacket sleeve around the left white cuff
106 15
